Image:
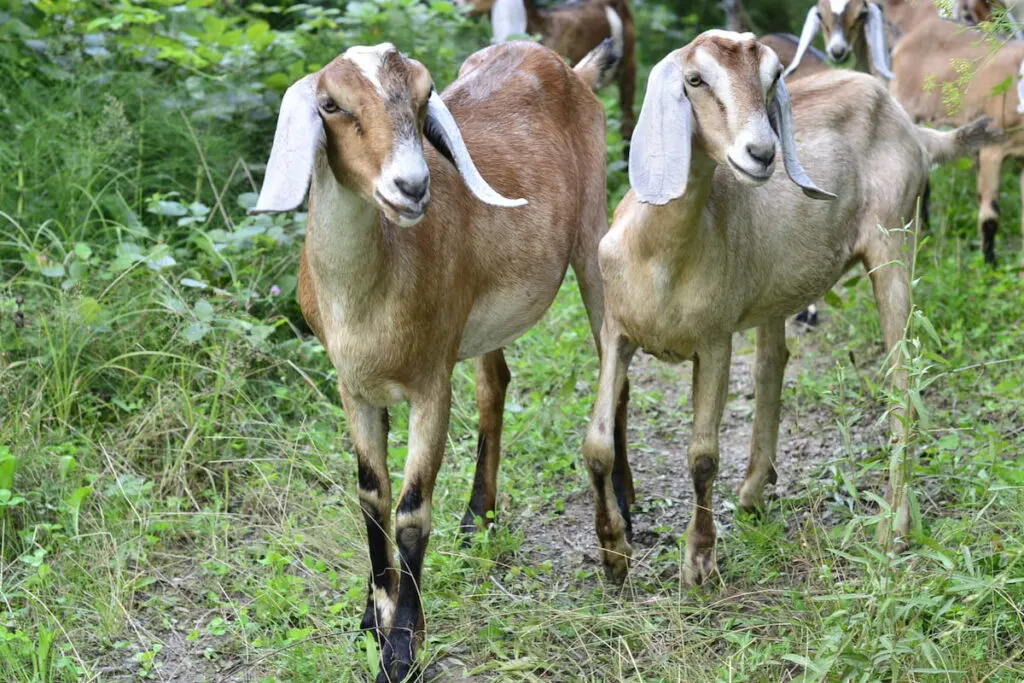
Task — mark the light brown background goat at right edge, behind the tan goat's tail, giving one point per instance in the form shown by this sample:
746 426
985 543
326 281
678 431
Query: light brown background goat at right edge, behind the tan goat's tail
928 59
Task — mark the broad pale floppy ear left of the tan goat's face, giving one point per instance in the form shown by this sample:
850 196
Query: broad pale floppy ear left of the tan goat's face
660 151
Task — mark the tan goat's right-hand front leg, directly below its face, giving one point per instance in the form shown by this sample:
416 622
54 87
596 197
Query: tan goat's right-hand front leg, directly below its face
711 387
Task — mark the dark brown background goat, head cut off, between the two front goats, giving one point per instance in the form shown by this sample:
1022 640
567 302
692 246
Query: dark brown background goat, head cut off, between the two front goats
573 30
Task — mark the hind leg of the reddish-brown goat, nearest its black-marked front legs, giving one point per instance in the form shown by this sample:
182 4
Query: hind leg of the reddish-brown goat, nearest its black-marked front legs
492 382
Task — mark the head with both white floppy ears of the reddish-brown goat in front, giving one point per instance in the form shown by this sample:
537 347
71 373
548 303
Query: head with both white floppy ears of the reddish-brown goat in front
366 113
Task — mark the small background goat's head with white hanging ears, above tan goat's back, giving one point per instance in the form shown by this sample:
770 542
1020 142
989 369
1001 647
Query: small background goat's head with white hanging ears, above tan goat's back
844 23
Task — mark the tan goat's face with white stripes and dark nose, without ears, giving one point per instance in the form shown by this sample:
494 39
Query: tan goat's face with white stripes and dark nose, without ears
729 79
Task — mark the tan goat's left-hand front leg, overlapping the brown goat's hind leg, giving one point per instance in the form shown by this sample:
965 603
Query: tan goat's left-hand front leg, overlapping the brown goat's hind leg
605 454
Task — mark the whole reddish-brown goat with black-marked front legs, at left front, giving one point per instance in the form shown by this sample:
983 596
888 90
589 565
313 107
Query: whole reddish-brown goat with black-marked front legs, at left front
396 307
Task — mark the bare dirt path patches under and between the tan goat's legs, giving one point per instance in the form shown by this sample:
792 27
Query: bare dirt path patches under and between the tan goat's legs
659 434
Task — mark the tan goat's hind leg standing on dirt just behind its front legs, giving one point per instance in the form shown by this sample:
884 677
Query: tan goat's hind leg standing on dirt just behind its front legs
769 373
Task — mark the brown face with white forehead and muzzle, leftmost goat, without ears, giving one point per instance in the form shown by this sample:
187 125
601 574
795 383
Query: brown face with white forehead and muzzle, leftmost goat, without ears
373 102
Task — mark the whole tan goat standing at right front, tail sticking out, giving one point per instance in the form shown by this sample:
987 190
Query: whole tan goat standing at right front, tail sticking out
711 241
